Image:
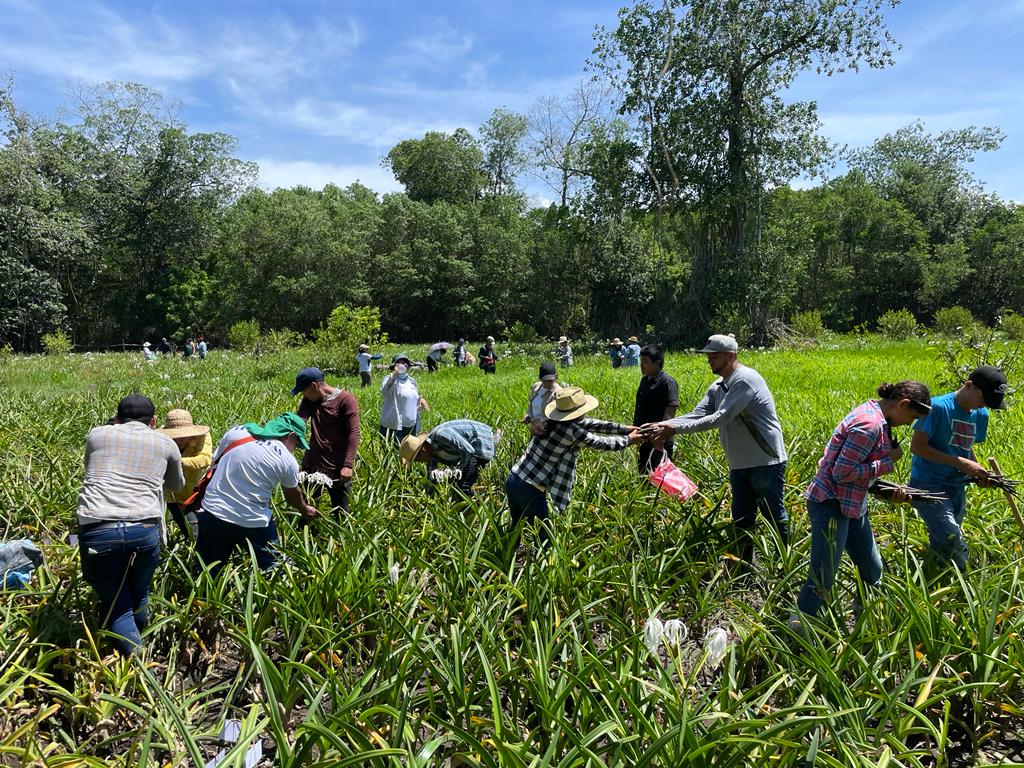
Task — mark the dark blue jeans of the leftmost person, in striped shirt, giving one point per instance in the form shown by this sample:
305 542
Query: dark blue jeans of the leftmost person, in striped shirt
119 563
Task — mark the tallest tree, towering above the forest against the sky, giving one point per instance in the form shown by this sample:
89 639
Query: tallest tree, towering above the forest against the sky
702 81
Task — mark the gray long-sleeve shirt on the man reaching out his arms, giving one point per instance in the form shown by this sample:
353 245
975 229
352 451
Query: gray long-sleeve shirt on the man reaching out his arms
744 411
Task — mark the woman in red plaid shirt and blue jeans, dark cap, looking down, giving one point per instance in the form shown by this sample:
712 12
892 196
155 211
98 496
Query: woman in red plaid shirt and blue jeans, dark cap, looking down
862 449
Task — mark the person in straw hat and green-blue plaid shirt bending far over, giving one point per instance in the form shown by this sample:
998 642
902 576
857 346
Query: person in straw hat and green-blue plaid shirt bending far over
463 445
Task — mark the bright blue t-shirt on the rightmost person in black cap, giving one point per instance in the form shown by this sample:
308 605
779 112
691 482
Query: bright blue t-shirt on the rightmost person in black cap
952 431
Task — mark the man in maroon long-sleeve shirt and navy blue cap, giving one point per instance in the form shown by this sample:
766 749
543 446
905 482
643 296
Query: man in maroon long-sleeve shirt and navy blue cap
334 435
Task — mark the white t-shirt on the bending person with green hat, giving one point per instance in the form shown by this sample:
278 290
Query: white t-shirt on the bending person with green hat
244 481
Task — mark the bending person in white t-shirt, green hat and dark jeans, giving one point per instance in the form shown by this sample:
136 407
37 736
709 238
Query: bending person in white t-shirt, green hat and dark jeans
249 463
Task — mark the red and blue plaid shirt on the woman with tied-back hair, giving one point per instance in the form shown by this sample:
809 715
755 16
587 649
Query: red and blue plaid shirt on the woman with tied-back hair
859 452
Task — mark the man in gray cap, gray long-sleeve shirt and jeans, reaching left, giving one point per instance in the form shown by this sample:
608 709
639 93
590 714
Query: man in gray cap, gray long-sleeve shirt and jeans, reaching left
742 408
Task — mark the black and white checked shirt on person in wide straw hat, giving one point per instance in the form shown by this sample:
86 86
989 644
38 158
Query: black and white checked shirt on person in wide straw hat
550 459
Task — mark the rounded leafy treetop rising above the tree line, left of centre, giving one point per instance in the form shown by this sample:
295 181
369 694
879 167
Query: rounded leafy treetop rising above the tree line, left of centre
439 167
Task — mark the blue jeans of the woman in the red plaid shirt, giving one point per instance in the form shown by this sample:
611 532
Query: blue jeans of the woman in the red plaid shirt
832 534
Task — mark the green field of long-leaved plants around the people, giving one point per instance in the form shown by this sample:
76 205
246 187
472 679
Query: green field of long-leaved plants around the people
410 634
